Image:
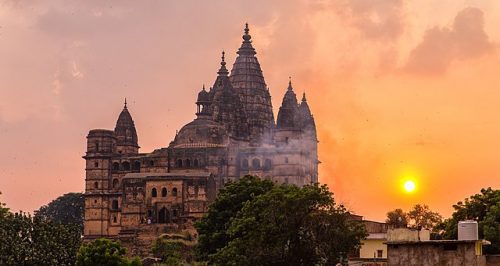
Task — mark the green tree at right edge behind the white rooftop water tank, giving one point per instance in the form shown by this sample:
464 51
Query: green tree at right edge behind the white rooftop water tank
483 208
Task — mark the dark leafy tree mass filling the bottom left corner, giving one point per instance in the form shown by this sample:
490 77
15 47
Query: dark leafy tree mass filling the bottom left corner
25 240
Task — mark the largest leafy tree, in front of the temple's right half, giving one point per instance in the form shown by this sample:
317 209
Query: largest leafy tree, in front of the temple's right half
289 225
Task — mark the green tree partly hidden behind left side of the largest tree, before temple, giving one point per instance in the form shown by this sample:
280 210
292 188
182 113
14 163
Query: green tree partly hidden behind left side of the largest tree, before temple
212 228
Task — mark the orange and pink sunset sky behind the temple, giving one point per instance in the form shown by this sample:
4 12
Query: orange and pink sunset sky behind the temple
399 89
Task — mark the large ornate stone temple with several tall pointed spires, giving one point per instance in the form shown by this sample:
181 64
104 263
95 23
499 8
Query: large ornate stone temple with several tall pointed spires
133 194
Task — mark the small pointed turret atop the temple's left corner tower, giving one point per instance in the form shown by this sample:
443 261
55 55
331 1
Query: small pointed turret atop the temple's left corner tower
126 135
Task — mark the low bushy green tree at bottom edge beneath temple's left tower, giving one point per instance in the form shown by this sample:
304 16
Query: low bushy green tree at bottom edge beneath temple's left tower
104 252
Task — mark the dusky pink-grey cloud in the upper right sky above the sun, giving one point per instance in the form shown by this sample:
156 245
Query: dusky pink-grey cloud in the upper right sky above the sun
465 39
